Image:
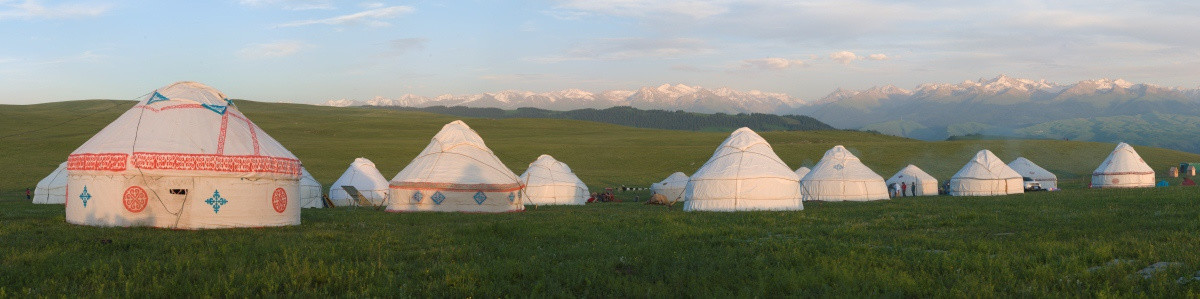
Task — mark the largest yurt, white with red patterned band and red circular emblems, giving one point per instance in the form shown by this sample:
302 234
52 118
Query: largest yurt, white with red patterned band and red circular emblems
183 158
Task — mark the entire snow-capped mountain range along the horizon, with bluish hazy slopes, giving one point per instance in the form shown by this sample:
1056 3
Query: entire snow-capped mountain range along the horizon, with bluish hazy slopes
1097 110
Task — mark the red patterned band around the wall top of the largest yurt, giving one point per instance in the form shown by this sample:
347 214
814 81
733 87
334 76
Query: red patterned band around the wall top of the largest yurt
116 163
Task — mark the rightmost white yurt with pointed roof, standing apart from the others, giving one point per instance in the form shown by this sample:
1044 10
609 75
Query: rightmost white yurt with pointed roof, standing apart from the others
1124 169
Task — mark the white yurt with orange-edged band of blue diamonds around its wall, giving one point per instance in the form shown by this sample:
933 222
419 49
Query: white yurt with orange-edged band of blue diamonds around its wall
457 172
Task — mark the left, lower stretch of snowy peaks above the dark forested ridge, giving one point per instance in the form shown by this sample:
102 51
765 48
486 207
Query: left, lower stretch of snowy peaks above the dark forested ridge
667 97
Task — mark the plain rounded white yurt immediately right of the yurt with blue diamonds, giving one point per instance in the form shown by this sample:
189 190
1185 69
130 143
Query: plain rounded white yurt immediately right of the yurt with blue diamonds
550 182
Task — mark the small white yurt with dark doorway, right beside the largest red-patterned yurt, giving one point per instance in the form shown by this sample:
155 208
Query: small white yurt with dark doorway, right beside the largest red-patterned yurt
364 177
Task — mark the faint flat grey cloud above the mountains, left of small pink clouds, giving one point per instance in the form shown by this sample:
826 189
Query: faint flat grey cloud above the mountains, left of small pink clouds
632 49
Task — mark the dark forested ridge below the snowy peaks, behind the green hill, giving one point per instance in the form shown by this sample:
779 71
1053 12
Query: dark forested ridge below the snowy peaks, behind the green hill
649 119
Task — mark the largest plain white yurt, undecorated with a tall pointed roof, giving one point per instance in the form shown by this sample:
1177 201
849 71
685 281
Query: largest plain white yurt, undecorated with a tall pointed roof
743 175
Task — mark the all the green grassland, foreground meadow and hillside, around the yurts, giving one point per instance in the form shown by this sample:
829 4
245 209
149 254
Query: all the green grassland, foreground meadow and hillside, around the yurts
1078 243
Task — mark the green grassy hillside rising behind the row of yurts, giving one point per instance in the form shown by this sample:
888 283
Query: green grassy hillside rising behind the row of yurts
327 140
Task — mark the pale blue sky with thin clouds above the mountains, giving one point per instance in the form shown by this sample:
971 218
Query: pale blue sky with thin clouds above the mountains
314 51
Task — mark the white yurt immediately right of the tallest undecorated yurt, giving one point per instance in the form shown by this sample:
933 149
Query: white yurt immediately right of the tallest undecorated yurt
839 177
